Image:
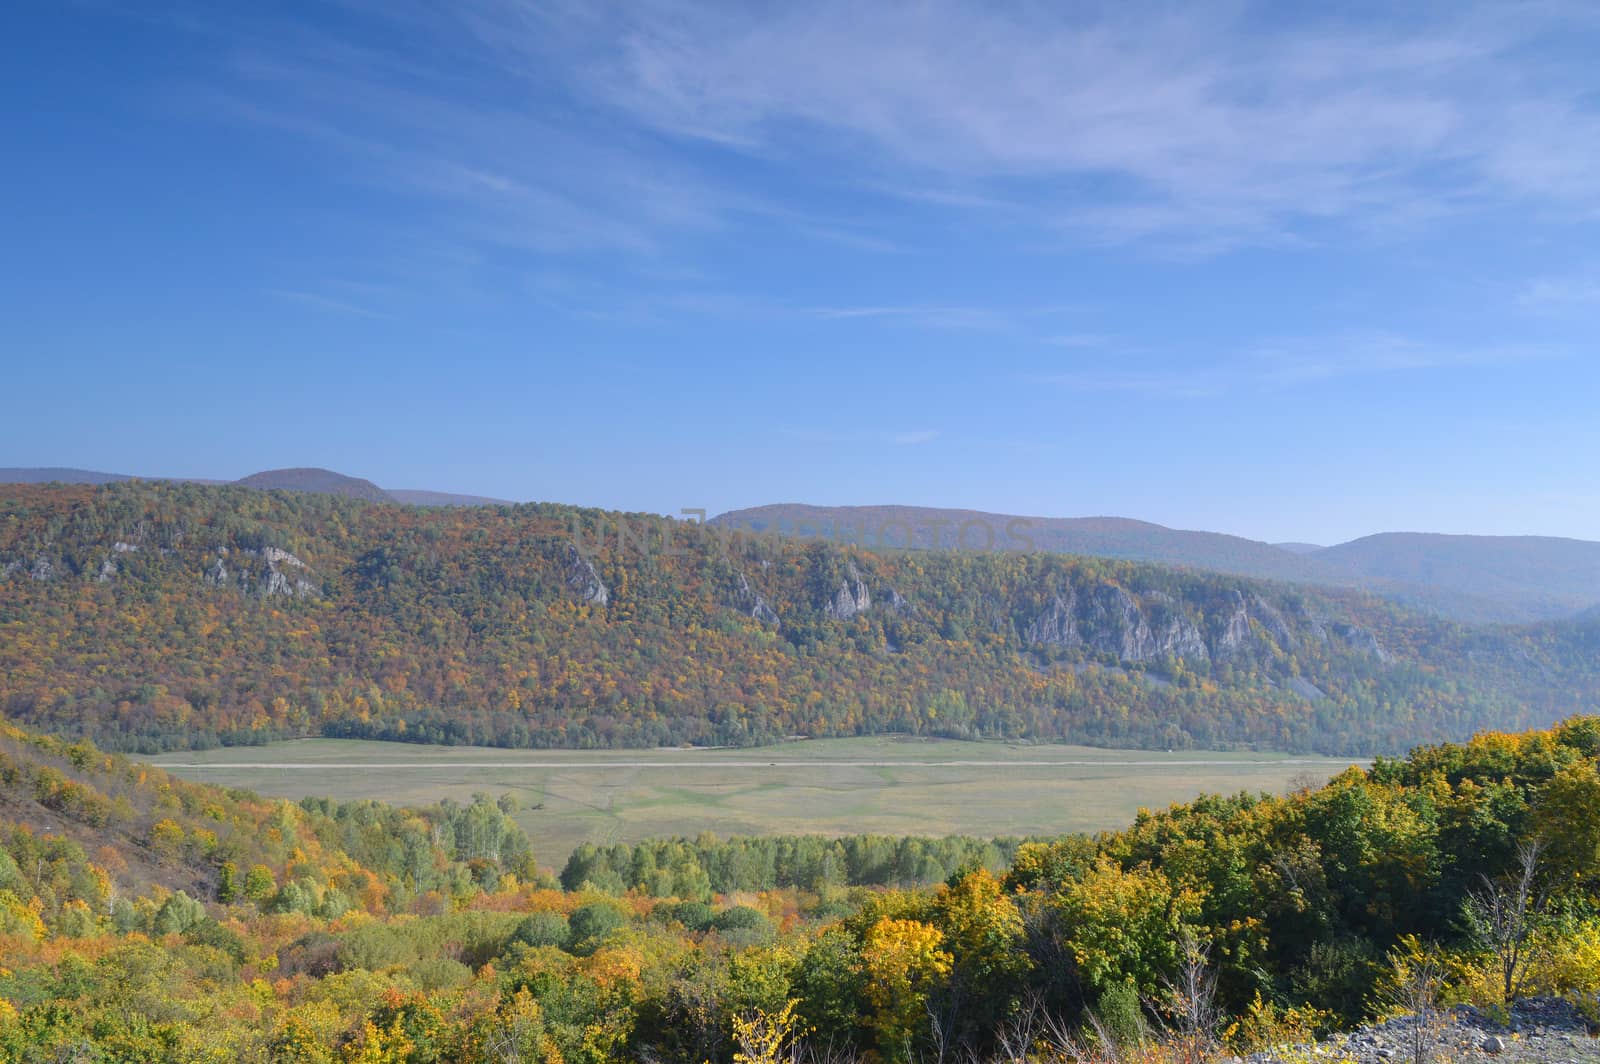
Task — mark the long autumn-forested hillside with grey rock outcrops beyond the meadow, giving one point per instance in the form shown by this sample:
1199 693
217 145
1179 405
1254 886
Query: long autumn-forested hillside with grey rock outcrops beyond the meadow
156 617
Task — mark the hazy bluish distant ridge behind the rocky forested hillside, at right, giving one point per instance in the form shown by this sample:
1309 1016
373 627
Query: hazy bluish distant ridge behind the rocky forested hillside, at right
1508 580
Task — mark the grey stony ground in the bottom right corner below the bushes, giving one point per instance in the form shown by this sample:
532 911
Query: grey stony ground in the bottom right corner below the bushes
1542 1031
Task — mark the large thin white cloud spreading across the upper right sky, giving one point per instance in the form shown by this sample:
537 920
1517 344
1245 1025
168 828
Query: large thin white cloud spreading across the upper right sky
1126 121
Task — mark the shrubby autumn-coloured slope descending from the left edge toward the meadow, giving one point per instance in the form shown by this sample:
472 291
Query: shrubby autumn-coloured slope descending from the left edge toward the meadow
82 828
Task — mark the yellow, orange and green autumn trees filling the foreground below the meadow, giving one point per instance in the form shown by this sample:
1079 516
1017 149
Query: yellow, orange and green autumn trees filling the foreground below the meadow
1292 914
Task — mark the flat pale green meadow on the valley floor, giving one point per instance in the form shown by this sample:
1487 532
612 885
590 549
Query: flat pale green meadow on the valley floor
887 785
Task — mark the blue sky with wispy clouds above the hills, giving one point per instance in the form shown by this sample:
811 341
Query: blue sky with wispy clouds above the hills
1249 268
